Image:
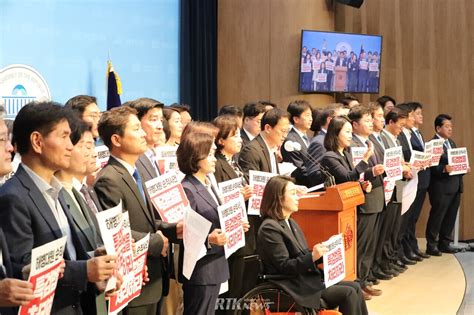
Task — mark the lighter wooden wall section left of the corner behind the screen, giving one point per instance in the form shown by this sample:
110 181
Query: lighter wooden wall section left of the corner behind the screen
258 48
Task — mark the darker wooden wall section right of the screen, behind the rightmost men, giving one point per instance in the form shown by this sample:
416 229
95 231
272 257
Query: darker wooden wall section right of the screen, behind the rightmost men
427 57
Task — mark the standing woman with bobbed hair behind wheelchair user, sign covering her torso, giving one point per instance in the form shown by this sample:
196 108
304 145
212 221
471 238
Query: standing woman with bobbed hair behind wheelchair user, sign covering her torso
229 143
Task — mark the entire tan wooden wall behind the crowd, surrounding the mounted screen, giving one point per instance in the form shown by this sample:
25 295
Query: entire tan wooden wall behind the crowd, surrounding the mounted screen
427 57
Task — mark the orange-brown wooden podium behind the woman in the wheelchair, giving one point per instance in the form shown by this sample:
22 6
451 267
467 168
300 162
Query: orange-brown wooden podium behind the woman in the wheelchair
324 214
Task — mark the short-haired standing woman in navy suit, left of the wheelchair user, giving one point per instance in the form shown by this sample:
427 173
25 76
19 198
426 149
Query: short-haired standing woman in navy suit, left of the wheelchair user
196 159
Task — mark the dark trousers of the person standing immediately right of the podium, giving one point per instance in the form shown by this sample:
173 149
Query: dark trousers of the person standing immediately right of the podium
367 235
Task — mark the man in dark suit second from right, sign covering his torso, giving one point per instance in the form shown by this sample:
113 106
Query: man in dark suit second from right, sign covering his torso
424 176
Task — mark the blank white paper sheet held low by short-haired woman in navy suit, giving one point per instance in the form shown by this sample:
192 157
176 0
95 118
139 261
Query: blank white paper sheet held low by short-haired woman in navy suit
195 231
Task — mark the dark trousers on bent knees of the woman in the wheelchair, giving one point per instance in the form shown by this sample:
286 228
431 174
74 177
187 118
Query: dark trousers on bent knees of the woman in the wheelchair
347 296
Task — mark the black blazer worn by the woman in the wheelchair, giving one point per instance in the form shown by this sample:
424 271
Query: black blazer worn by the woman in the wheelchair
285 253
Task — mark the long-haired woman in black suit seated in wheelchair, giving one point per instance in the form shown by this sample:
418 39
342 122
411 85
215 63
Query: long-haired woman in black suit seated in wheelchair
284 251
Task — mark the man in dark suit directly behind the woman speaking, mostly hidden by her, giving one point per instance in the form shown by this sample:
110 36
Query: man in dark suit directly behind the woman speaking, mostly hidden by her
316 148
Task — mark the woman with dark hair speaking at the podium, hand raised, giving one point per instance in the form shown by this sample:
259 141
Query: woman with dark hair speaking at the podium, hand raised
338 159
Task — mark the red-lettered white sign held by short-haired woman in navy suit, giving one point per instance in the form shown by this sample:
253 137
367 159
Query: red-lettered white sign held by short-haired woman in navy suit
230 217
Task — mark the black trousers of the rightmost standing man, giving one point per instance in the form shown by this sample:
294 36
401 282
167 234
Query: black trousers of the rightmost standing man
444 208
